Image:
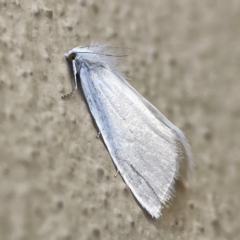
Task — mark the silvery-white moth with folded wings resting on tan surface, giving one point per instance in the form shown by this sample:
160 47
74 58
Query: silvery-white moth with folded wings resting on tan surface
142 142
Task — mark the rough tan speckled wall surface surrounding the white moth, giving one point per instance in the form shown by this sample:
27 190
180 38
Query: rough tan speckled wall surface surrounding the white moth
56 179
